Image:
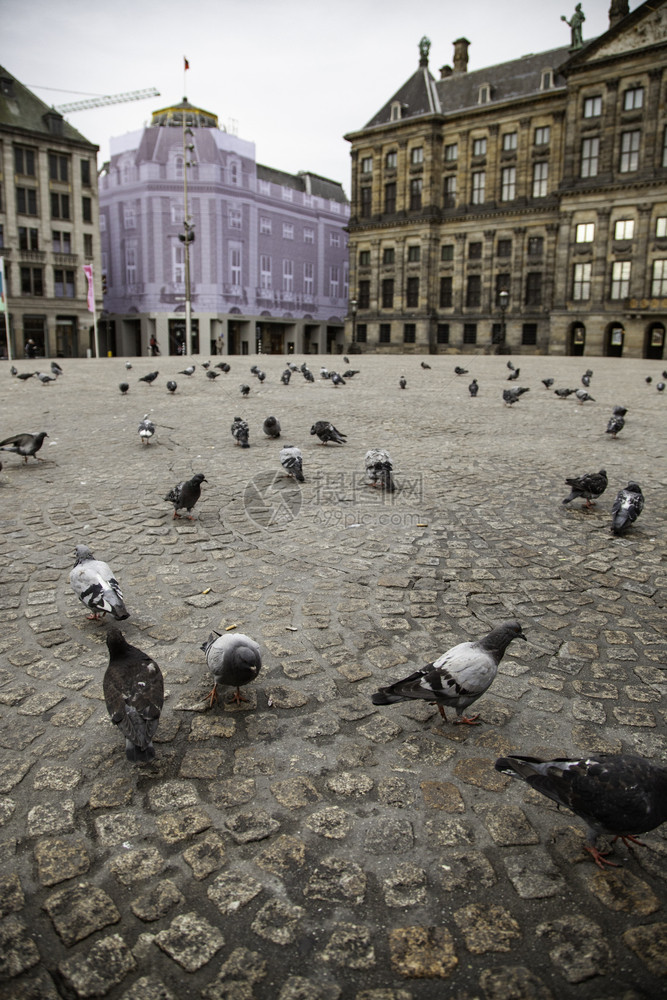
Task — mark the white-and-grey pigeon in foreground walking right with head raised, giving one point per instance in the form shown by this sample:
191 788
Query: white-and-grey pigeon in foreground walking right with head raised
457 678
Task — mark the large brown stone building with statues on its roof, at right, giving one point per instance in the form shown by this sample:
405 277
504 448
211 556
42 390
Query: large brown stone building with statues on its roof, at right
521 207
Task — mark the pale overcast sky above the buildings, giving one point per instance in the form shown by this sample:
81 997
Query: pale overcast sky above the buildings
294 75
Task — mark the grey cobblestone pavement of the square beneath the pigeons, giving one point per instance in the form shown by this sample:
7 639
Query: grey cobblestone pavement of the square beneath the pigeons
307 845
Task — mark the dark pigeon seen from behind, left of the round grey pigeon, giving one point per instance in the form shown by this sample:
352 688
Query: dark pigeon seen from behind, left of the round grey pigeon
134 694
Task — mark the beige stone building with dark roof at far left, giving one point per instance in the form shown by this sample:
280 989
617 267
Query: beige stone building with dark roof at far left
48 225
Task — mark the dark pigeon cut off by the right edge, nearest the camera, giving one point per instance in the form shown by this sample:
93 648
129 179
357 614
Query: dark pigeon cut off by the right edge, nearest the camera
615 794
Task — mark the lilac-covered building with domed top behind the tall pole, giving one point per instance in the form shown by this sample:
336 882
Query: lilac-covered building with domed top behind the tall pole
268 262
